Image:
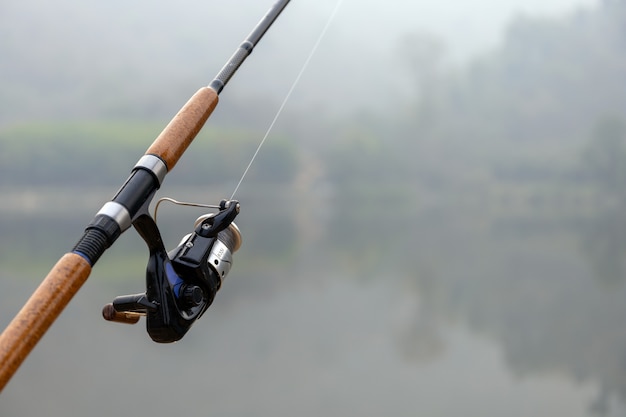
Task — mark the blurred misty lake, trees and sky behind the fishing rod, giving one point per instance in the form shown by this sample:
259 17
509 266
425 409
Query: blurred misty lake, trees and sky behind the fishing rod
435 226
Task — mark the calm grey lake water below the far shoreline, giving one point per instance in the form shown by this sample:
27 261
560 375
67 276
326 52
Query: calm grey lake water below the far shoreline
446 312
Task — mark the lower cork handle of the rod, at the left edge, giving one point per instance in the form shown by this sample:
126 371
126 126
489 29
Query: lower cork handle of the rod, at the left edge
40 311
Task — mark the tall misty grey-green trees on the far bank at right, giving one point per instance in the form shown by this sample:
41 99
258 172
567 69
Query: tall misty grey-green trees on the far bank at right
529 110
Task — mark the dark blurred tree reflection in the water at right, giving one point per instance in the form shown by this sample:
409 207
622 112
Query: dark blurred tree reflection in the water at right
548 289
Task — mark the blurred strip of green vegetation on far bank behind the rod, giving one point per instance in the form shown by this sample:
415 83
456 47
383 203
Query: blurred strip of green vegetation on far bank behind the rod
100 152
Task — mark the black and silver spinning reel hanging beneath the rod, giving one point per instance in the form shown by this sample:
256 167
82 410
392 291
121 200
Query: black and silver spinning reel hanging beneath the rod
181 284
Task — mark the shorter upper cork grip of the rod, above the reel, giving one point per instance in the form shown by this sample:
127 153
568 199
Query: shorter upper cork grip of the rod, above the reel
183 128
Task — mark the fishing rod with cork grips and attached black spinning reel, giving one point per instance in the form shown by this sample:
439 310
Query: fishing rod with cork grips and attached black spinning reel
180 284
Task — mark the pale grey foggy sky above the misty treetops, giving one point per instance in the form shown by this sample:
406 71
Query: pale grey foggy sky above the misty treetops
361 51
